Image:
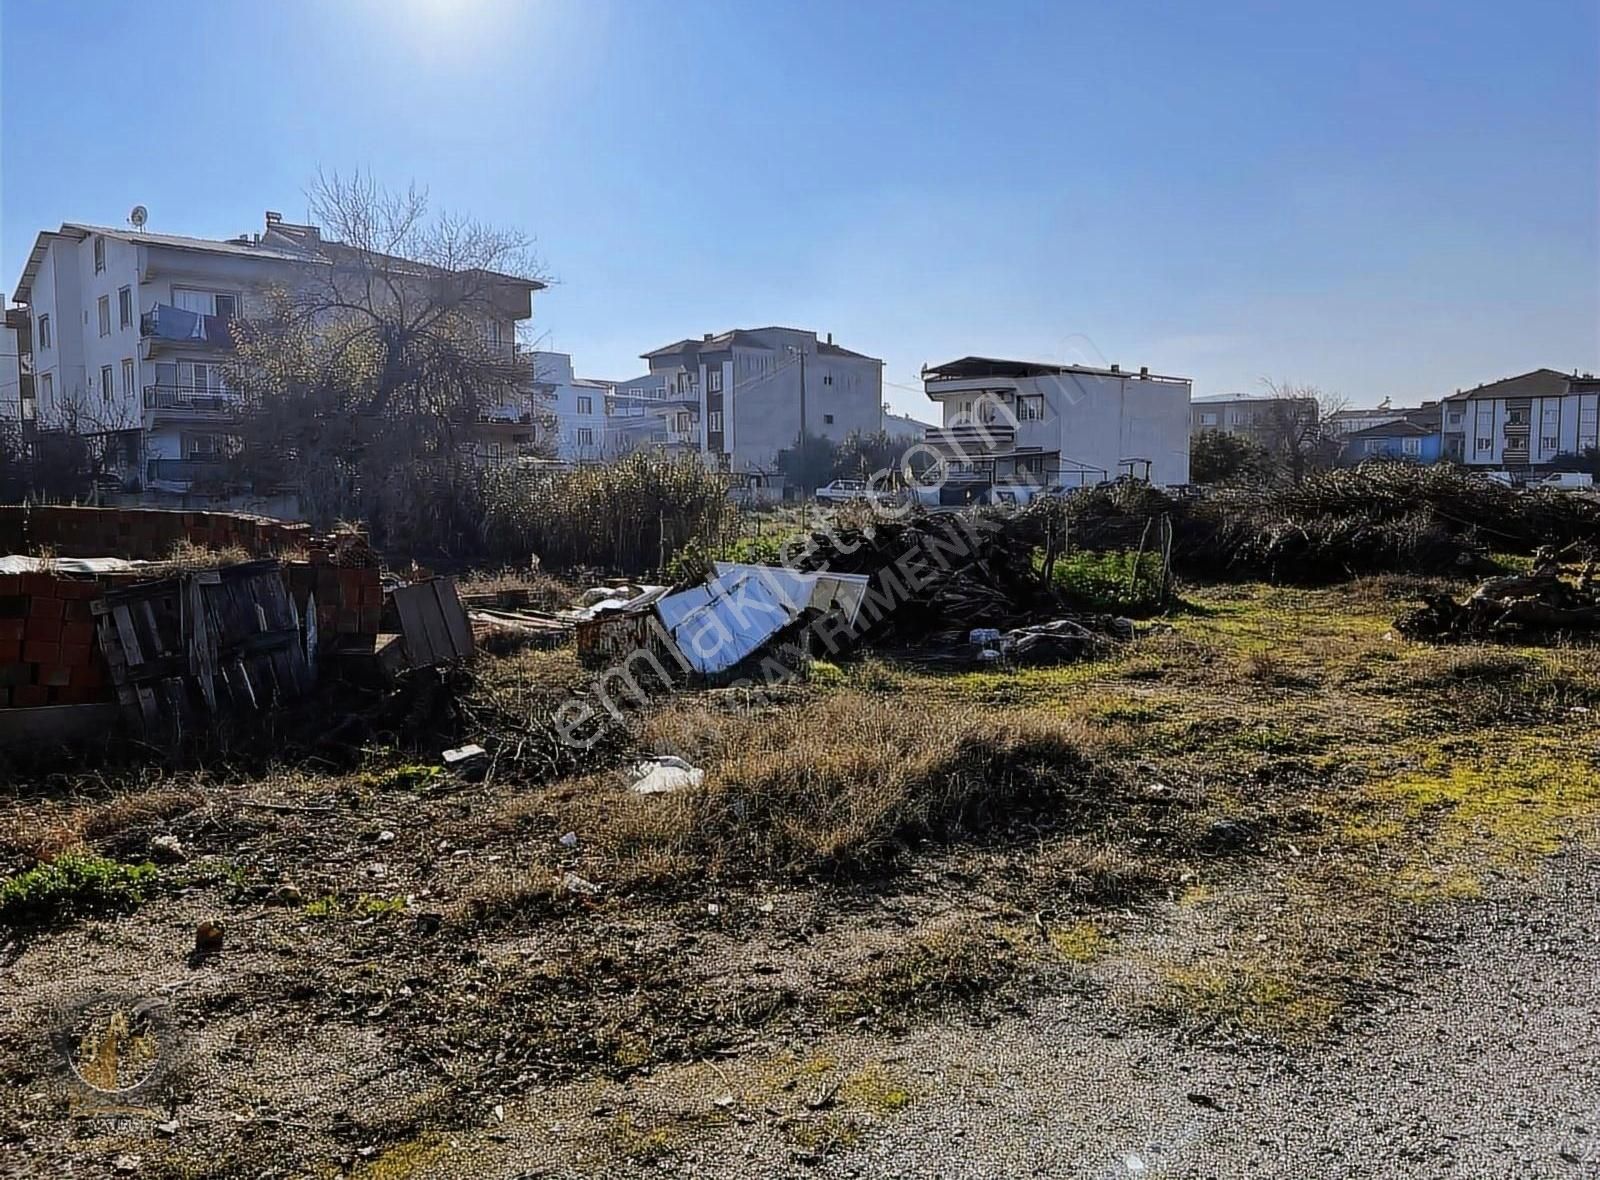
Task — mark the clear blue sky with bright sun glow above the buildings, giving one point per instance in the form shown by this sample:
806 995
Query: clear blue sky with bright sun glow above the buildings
1380 199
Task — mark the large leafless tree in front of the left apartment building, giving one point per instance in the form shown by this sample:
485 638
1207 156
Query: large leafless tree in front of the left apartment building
372 372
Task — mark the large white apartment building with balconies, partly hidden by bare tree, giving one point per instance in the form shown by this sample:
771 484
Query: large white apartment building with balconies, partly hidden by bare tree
132 335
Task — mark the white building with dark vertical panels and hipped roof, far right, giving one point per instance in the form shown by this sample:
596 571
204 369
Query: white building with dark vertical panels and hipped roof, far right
1522 423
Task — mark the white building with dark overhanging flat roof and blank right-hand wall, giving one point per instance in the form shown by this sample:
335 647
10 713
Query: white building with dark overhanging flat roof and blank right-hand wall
1058 425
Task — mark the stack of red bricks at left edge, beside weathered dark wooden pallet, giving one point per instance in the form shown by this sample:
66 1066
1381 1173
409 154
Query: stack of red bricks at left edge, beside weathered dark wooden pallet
47 642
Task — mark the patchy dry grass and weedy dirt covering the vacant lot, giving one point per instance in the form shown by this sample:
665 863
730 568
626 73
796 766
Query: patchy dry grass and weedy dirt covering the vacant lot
1230 831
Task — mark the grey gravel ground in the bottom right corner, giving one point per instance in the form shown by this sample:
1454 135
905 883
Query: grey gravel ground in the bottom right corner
1487 1064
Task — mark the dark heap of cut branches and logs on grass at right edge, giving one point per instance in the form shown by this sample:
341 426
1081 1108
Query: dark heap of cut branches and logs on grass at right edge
1527 608
